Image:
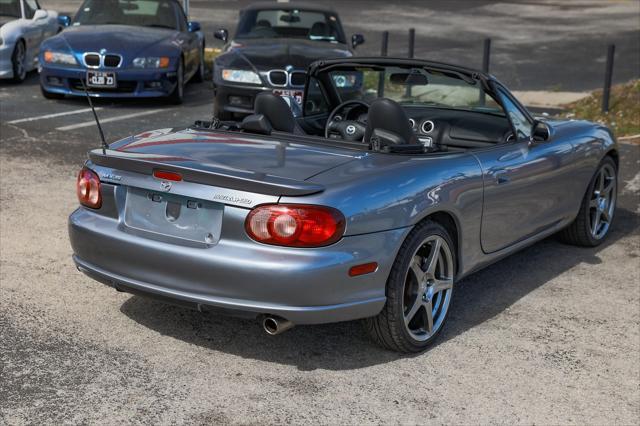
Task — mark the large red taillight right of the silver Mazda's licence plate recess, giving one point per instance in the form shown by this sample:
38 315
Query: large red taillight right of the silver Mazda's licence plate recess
295 225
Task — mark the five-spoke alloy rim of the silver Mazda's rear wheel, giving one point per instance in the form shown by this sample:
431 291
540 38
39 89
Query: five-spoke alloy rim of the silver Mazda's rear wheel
428 288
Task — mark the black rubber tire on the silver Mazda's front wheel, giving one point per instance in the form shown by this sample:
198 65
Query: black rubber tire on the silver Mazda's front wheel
581 231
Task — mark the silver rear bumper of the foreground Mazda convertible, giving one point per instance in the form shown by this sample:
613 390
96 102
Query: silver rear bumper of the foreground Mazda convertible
305 286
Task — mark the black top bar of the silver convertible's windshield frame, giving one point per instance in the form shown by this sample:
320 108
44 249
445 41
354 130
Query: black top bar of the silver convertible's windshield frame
390 61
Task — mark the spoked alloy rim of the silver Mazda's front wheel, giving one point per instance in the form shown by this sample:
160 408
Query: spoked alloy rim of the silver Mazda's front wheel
603 202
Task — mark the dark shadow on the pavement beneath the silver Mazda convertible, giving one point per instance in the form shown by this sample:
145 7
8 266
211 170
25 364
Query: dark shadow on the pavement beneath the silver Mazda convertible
345 346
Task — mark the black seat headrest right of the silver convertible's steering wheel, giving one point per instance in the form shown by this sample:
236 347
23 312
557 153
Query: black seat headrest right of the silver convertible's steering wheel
387 115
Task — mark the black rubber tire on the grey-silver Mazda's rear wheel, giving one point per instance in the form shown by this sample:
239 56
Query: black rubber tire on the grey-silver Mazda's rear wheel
388 329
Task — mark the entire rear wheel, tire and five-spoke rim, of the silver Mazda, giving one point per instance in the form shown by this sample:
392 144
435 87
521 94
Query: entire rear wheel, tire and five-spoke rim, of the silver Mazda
419 291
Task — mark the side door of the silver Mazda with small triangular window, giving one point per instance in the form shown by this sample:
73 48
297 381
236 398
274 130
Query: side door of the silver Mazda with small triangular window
524 182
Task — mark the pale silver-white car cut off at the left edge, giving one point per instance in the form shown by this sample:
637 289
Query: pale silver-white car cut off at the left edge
23 26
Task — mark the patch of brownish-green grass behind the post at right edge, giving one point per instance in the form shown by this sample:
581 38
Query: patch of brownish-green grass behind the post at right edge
624 109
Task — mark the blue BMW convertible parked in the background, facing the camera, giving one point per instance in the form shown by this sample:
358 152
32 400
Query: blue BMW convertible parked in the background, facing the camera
123 48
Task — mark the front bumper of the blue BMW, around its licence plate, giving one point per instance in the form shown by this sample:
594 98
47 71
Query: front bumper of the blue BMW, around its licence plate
131 83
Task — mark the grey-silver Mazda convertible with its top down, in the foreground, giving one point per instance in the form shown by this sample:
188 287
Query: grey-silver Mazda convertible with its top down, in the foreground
394 180
